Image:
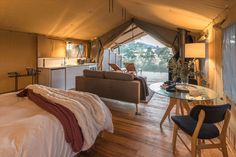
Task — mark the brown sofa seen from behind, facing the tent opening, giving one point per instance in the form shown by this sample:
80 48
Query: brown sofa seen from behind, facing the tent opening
113 85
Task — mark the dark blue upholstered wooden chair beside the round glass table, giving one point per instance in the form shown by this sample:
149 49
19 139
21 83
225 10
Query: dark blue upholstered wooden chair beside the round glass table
201 125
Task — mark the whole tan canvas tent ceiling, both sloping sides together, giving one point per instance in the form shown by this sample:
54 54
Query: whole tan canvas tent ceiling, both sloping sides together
91 18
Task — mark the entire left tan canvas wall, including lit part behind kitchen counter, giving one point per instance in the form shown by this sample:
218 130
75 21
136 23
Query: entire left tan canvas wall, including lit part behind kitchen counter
20 50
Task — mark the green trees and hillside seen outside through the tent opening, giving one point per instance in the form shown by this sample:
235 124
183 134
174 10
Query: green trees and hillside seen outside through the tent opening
146 57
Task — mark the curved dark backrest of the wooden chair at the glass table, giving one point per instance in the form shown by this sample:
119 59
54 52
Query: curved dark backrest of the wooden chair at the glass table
213 114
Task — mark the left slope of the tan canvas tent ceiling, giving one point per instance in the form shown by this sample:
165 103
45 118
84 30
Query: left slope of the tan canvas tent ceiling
81 19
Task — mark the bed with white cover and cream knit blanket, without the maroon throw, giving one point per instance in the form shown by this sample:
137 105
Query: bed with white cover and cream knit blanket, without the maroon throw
26 129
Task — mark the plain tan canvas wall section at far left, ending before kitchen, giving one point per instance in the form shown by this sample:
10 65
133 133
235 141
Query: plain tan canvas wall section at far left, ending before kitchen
18 51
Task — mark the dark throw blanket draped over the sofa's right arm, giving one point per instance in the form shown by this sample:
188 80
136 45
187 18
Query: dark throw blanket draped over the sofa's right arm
143 87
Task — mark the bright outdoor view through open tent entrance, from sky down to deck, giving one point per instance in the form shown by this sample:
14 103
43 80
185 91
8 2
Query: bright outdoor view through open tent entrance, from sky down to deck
149 56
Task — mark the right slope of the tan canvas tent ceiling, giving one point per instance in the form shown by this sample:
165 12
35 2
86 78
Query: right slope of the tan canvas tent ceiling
193 15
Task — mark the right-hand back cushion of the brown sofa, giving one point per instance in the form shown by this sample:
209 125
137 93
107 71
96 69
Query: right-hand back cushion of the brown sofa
119 76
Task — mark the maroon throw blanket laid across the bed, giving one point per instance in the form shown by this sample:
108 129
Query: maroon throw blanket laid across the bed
73 134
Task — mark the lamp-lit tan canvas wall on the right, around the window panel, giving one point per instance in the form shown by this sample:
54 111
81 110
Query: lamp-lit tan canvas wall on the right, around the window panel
214 40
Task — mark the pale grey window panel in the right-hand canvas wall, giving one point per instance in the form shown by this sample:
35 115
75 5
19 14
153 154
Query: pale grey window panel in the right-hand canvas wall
229 62
